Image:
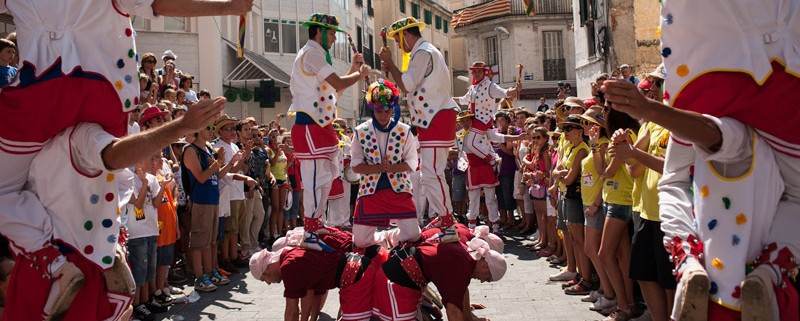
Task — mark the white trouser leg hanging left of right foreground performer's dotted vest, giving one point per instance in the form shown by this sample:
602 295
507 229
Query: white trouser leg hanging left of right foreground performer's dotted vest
674 192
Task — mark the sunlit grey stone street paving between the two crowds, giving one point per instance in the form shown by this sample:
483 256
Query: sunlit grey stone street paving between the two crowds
523 294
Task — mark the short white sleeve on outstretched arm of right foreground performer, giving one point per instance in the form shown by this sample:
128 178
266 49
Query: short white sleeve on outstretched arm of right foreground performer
736 142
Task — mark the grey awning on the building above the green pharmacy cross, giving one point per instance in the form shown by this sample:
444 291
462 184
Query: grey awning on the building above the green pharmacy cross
255 67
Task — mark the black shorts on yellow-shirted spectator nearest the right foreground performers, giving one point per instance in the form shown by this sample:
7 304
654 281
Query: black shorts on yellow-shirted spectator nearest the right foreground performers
649 259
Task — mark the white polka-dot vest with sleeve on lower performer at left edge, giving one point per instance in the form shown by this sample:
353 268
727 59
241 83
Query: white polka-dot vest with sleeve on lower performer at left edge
80 195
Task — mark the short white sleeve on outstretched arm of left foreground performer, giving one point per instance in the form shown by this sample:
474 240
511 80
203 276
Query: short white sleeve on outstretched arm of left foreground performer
87 143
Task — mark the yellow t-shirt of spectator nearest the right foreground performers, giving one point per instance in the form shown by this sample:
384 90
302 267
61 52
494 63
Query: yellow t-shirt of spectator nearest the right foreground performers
659 138
